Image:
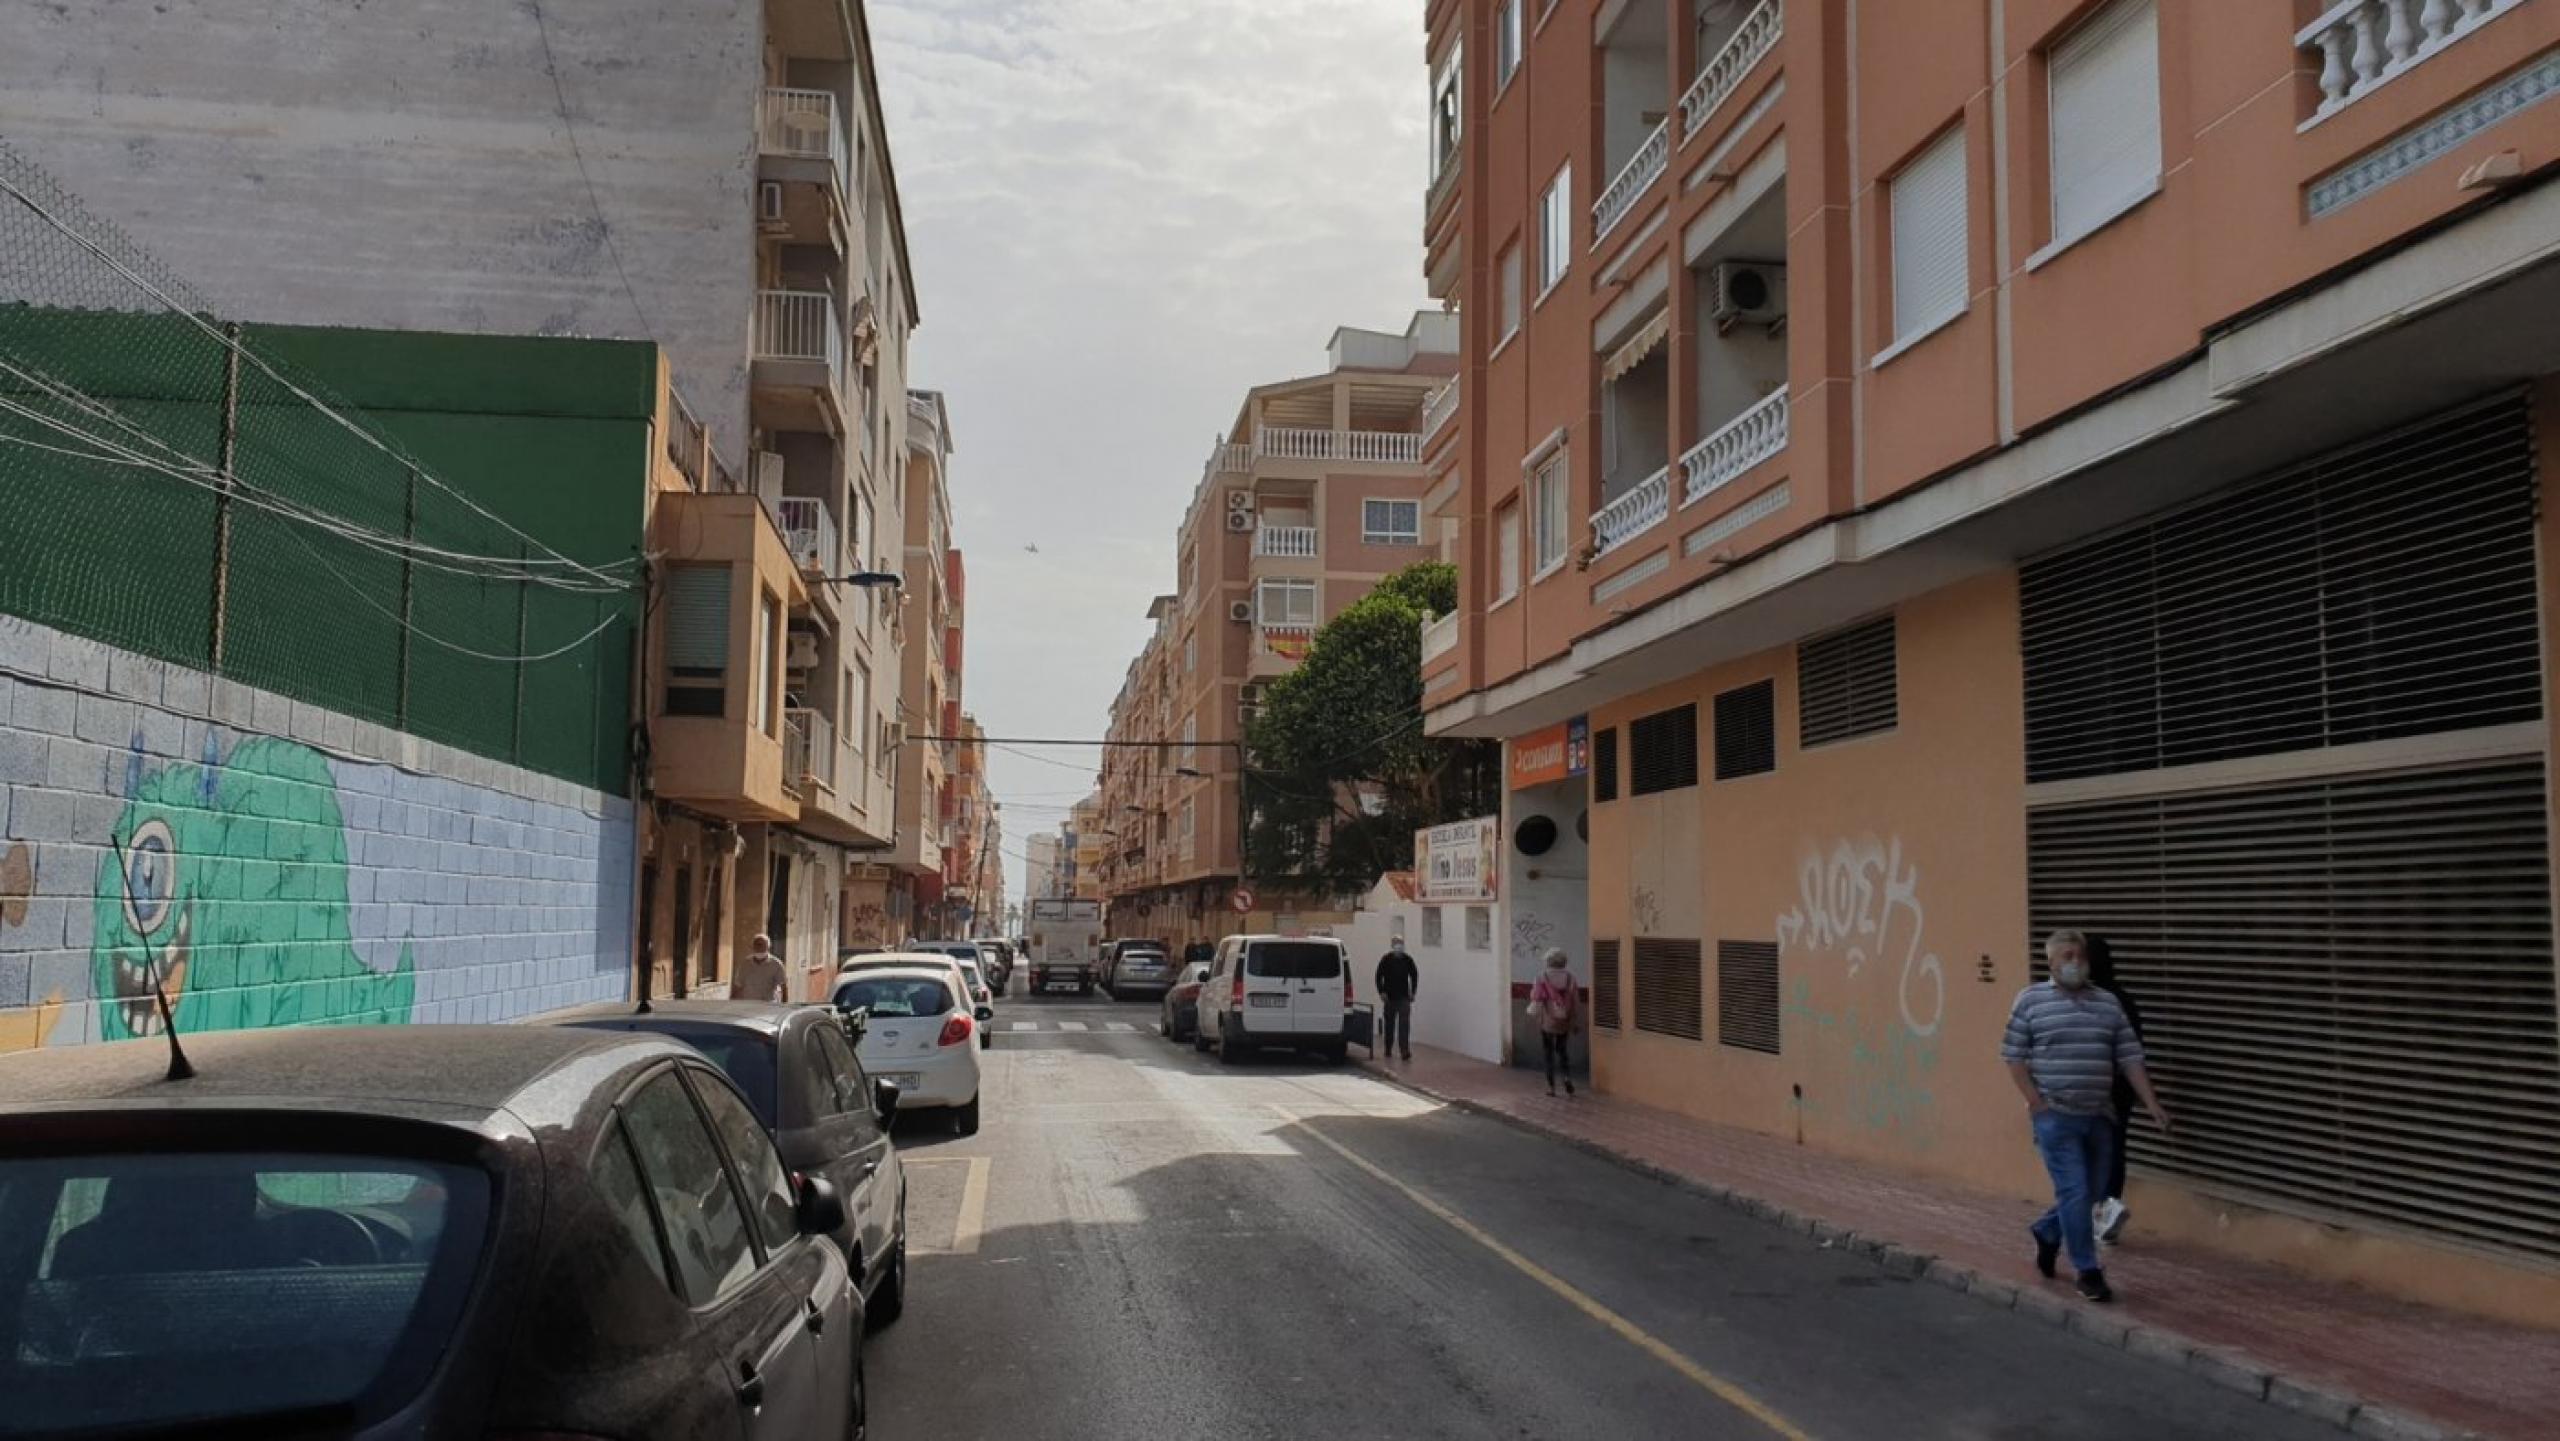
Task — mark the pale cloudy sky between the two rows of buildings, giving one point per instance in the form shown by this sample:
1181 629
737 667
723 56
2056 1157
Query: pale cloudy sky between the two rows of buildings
1123 214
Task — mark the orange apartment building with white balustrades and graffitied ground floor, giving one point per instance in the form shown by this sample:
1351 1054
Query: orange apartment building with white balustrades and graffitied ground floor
1932 475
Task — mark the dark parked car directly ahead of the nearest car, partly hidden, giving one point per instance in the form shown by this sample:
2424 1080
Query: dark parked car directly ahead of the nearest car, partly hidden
826 1115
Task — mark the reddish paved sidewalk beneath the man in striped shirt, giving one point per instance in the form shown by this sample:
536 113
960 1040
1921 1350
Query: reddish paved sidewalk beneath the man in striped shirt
2356 1358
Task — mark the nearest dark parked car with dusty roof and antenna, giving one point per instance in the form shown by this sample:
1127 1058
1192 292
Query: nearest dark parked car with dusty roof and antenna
413 1232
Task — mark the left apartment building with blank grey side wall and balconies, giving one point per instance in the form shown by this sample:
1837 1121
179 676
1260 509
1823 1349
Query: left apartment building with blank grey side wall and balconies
703 175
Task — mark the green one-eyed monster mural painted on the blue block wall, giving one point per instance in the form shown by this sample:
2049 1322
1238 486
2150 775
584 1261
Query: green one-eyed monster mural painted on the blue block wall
232 879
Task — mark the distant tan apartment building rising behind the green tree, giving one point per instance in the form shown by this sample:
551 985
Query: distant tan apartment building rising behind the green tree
1312 495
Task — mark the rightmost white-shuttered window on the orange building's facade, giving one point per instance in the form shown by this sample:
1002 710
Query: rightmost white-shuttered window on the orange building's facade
2103 114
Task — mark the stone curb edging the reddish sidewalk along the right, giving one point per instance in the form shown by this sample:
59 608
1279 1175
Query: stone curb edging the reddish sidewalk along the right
2221 1365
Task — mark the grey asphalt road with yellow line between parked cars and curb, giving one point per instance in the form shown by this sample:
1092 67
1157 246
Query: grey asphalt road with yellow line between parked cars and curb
1143 1243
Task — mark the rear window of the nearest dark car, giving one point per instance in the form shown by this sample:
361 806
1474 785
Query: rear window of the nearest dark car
196 1289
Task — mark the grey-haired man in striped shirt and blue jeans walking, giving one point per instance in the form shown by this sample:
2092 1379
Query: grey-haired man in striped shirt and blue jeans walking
2065 1046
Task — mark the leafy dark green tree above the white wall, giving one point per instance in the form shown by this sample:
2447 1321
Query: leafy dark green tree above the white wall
1340 772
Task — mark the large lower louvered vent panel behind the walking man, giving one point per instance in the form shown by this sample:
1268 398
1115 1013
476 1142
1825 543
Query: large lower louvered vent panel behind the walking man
2346 987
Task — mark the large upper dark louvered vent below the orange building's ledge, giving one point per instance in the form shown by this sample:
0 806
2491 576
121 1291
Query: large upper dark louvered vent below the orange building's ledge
2380 593
